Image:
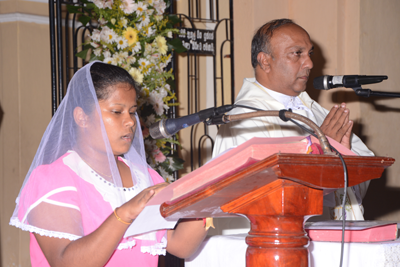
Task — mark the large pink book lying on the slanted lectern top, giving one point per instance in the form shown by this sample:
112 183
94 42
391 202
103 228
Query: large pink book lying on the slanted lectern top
237 159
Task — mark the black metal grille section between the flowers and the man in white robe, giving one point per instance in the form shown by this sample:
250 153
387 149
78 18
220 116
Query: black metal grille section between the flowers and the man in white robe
209 13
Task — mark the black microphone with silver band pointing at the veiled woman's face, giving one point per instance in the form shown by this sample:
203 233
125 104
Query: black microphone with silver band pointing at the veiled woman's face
167 127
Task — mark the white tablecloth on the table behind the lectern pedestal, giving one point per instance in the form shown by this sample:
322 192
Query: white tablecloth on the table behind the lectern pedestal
230 250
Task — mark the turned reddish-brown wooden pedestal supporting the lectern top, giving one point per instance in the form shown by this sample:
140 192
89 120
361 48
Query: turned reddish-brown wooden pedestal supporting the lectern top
277 237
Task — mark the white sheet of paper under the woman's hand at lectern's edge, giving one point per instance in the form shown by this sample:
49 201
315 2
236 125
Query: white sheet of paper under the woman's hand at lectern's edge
142 224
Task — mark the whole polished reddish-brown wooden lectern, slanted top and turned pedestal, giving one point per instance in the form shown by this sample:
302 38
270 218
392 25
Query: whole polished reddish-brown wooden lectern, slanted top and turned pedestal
276 194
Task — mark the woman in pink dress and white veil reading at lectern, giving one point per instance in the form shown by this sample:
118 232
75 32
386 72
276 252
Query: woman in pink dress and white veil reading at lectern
89 180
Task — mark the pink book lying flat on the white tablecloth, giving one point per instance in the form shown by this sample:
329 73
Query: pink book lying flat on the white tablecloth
356 231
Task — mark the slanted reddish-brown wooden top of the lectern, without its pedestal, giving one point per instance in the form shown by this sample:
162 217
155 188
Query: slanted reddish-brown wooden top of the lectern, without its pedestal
315 171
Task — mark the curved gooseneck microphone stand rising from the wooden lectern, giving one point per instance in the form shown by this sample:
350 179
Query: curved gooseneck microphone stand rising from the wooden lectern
284 115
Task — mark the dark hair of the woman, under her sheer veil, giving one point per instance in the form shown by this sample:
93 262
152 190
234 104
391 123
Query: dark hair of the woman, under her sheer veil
105 75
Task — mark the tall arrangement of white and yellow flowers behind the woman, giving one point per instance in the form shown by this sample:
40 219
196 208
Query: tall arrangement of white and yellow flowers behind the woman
137 35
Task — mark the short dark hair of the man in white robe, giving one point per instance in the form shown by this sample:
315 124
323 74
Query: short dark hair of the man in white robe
261 40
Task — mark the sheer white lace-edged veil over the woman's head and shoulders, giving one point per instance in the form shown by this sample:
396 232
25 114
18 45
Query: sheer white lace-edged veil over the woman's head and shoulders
64 180
